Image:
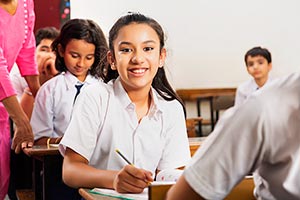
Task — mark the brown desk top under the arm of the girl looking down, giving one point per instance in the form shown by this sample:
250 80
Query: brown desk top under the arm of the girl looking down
41 150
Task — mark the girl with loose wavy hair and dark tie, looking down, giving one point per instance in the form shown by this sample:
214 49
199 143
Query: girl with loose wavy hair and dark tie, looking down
81 49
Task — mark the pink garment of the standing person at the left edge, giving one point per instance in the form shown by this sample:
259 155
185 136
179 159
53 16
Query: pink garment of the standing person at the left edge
17 44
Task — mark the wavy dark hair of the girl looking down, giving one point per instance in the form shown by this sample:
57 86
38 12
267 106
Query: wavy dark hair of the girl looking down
89 31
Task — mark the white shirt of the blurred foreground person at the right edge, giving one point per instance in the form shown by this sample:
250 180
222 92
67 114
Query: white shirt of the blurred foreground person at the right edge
261 135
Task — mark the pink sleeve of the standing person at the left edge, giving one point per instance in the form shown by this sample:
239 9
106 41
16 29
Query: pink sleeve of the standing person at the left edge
26 58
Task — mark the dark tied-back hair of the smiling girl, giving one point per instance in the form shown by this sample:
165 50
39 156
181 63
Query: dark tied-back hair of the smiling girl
160 82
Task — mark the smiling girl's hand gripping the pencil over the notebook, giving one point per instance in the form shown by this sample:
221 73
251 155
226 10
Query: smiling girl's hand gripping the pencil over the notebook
132 180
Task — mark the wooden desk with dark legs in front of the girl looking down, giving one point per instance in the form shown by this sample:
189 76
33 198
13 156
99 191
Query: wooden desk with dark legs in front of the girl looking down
45 155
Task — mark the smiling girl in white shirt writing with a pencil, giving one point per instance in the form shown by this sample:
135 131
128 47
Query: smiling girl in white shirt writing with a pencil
137 112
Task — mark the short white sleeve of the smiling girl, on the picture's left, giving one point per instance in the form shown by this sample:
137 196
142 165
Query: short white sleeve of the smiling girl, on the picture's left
86 118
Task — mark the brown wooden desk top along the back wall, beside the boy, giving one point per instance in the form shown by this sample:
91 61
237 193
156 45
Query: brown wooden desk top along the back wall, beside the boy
194 94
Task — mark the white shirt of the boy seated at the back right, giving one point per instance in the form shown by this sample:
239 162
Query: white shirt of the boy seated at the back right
246 89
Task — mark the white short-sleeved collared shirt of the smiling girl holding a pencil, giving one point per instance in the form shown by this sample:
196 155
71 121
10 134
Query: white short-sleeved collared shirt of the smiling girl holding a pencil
104 120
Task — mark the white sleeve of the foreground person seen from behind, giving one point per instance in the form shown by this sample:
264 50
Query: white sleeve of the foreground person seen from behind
229 153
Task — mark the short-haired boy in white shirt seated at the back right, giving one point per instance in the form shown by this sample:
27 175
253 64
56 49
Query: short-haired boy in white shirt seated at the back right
259 63
